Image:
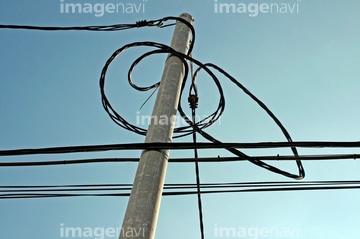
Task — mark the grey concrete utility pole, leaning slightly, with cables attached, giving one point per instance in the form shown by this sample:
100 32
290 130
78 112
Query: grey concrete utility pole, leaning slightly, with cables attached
144 202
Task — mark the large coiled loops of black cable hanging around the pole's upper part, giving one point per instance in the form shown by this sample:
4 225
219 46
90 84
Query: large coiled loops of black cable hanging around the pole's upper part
202 124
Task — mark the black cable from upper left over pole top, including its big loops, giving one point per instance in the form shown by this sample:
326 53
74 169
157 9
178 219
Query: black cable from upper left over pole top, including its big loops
192 125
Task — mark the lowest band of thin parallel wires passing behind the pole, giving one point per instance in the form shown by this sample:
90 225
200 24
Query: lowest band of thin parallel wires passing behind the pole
17 192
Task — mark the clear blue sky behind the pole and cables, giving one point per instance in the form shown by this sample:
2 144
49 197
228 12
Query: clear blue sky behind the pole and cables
304 65
